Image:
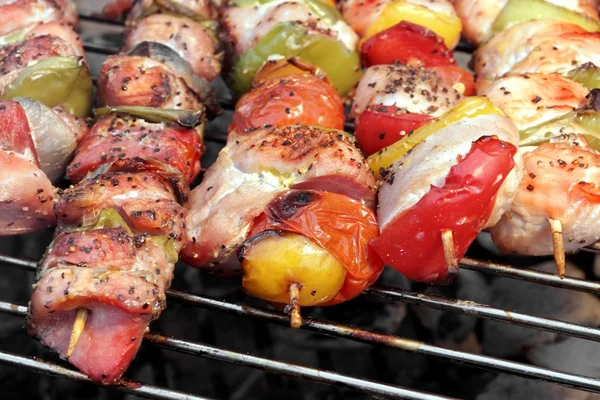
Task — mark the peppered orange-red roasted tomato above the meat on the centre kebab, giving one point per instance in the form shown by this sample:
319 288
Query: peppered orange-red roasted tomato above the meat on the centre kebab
302 99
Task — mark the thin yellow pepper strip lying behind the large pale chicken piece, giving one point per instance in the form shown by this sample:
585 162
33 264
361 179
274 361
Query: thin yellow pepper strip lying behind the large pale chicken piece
469 107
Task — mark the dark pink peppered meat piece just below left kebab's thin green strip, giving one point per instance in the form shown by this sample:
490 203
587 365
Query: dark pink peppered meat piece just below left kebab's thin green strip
178 147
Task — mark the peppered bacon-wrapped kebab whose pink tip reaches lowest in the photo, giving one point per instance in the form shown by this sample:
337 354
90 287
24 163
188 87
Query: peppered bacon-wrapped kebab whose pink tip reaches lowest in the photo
121 226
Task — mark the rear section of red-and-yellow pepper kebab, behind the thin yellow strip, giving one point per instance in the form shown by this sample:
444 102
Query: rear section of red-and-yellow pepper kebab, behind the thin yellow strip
412 76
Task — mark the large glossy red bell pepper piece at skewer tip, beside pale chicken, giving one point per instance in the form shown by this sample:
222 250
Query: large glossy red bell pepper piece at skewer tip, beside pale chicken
412 242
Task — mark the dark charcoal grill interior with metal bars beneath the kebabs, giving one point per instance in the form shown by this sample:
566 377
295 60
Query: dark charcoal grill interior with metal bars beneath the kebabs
441 332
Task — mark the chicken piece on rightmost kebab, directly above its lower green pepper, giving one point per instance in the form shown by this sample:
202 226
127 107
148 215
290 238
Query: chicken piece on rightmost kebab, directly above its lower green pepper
532 101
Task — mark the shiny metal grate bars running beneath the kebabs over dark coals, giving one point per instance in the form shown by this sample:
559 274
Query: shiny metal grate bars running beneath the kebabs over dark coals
372 388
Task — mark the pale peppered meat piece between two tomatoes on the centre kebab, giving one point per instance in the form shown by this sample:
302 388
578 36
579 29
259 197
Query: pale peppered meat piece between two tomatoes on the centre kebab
255 168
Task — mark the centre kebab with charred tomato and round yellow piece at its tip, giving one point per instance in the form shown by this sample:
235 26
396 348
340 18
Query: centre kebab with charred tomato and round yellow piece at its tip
287 203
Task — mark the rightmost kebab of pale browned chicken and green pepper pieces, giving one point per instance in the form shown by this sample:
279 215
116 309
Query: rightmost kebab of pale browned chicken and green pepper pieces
538 68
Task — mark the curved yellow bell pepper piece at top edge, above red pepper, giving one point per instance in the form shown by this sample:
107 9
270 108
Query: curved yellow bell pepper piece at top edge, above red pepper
448 27
